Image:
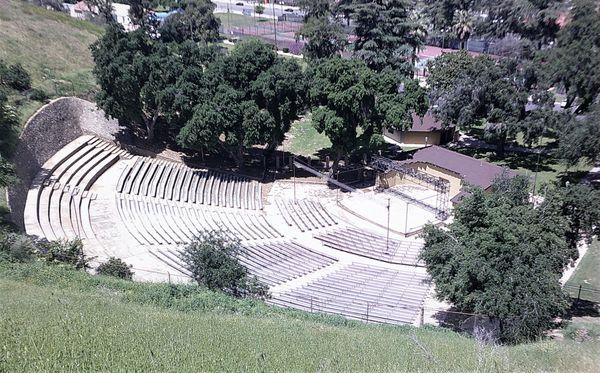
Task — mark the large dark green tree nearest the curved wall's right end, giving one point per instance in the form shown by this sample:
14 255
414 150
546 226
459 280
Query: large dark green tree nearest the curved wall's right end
145 83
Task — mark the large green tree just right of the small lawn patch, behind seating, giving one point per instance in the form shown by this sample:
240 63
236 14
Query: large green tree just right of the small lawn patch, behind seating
346 95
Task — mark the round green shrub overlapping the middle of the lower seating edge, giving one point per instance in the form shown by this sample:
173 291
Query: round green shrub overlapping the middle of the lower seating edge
213 262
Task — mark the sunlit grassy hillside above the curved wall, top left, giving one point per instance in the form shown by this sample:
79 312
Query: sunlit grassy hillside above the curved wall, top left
52 46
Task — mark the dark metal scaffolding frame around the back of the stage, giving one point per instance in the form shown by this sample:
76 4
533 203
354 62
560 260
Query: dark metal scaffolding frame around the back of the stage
439 185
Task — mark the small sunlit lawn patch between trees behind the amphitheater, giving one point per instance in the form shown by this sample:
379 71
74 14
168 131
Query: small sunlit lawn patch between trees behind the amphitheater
303 139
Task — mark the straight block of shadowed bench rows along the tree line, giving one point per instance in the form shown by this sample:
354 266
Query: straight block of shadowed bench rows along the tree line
176 182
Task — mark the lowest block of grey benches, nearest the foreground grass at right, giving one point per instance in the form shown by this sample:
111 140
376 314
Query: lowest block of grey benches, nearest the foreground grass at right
362 292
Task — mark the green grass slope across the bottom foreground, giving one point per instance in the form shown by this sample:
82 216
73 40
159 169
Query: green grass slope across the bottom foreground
53 318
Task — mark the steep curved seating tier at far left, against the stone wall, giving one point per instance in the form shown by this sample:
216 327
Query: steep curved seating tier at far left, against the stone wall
58 201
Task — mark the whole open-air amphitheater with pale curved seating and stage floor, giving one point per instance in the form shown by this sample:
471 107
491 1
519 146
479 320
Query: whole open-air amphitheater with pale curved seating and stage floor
317 249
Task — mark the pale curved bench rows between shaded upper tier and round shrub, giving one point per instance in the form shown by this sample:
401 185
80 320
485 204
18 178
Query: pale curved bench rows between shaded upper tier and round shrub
154 221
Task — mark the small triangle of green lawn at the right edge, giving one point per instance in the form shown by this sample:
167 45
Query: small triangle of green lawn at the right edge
587 274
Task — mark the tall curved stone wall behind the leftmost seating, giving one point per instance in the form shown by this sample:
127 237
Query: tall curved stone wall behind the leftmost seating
47 131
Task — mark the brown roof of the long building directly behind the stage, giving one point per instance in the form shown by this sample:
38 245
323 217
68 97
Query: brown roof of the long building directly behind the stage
473 171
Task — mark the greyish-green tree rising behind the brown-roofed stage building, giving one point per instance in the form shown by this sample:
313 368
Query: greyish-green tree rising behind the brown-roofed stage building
468 90
